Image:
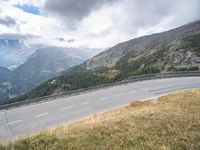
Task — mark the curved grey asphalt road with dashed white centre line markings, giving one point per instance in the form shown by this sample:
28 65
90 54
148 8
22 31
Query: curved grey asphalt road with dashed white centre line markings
27 119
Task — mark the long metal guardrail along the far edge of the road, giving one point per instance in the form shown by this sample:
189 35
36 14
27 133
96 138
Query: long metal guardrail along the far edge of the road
81 91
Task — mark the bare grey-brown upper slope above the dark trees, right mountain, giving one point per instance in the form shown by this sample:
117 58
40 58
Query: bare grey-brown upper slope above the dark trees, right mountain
147 45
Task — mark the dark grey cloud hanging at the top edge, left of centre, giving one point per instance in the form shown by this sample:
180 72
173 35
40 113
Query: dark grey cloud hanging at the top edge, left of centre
73 11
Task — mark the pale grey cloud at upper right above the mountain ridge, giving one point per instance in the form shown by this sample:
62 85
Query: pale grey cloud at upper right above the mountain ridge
135 15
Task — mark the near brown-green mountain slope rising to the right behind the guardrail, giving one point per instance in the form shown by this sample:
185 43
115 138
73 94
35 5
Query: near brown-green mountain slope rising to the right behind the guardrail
174 50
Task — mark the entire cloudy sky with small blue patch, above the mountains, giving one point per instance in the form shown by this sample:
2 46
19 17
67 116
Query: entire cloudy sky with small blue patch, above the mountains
92 23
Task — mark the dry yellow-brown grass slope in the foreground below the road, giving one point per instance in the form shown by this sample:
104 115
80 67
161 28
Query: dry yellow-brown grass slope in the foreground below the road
171 122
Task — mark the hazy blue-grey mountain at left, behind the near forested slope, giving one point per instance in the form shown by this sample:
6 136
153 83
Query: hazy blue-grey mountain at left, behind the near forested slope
42 65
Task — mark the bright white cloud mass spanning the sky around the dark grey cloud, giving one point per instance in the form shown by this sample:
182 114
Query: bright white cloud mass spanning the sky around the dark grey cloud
103 27
